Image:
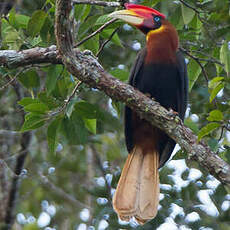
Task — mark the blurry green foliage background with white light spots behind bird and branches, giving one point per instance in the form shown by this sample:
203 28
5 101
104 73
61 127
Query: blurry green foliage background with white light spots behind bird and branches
76 149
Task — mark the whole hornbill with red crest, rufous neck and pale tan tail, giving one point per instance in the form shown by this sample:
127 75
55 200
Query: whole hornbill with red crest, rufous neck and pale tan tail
160 72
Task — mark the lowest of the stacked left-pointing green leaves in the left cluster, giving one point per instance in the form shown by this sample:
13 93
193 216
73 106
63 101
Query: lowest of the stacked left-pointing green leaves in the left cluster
33 121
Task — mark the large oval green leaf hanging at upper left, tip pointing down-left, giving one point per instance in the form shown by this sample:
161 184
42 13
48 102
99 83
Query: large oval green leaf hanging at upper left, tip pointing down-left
36 22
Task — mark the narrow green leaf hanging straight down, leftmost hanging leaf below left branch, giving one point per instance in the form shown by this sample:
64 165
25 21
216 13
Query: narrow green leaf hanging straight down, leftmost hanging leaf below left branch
52 132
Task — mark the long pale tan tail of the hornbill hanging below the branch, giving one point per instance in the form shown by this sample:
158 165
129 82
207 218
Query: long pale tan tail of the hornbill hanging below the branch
137 193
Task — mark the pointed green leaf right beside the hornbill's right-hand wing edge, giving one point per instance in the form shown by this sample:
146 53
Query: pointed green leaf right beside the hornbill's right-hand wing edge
194 71
